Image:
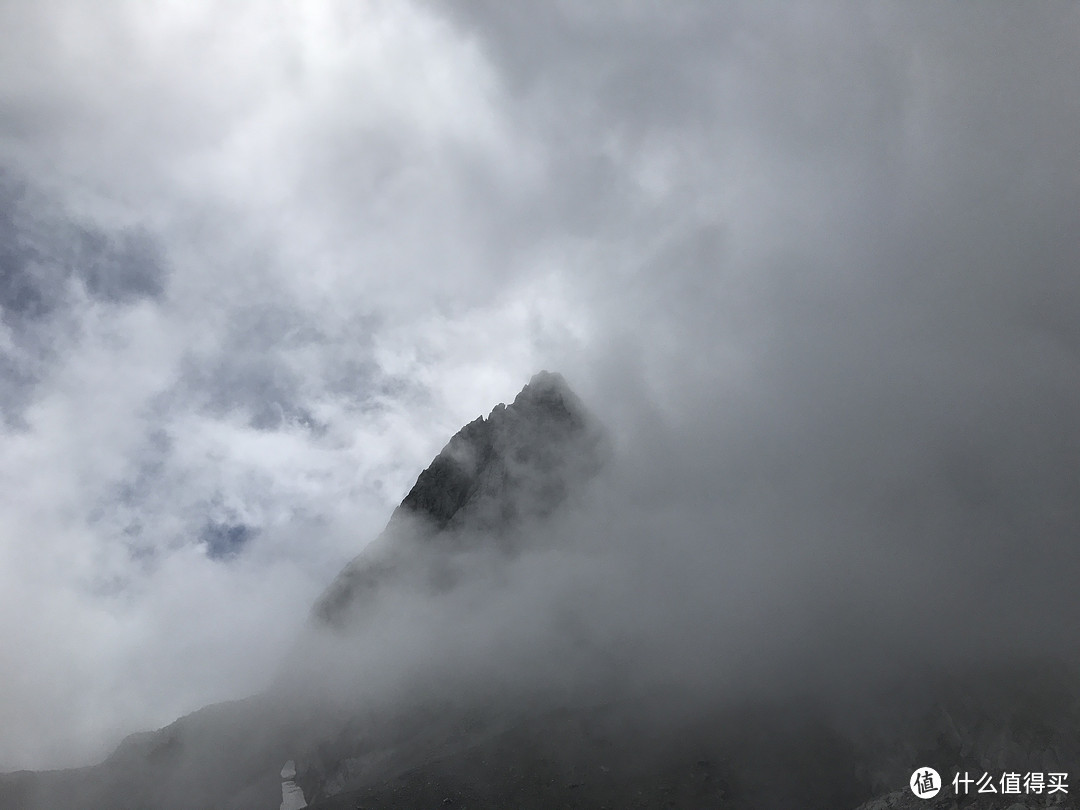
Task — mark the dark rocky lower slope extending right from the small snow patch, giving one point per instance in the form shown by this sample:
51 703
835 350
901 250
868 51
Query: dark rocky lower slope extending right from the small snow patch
654 752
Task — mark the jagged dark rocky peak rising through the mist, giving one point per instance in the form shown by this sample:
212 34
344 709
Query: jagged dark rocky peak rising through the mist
497 475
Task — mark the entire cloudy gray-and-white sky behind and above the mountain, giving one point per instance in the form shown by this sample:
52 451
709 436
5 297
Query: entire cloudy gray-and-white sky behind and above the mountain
260 261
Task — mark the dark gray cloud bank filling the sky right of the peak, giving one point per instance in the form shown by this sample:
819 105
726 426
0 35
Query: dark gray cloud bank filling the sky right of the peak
817 331
